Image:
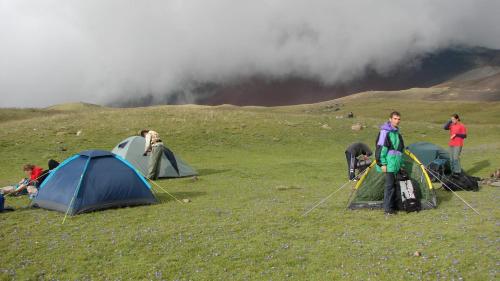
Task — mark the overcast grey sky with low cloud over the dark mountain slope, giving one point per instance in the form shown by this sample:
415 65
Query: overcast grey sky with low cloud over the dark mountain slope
99 50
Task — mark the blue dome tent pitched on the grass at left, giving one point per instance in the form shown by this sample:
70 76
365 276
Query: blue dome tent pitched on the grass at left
93 180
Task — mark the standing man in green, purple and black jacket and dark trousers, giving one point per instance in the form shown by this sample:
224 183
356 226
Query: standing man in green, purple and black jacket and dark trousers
388 156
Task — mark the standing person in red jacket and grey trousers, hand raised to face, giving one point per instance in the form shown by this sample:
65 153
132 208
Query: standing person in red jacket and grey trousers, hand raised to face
458 133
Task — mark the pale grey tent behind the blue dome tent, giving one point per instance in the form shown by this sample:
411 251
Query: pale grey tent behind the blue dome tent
132 148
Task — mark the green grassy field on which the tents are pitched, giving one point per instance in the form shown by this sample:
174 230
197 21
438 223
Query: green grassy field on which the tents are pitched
260 169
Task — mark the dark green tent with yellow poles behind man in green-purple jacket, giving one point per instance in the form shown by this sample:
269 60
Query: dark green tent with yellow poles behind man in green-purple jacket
370 187
